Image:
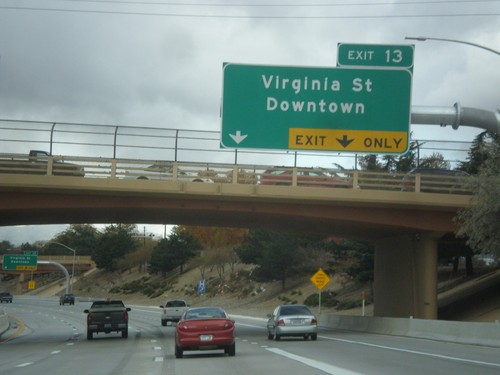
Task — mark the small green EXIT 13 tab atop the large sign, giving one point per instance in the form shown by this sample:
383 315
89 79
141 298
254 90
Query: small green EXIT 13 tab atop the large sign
375 55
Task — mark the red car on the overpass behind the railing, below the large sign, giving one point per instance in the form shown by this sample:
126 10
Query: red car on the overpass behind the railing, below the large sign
305 177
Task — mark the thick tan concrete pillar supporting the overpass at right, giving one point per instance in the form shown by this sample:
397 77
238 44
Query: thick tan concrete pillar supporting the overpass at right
406 276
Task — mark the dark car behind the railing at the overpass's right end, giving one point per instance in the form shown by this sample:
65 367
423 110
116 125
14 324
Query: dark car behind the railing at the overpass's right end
437 180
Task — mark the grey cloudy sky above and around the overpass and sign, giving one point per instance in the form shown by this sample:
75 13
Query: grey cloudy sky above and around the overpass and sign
159 63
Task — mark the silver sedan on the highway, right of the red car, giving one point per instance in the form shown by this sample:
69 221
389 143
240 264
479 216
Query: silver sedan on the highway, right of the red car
292 320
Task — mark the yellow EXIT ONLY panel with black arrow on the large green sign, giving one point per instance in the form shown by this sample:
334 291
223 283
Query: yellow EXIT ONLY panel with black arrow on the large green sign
394 142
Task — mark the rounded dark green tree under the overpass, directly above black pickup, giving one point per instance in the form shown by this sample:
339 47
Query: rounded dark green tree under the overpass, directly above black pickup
114 243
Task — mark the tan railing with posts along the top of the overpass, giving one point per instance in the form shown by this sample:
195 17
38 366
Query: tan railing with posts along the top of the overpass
249 174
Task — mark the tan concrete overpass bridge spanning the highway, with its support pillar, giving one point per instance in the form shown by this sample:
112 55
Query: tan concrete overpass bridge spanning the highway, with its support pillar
404 226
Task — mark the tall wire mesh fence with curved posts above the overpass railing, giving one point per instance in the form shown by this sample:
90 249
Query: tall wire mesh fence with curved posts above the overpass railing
177 145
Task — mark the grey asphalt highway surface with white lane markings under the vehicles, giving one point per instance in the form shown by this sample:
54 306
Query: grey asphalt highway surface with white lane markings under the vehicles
46 338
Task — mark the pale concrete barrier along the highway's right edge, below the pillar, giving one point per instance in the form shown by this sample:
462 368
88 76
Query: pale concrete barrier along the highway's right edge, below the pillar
441 330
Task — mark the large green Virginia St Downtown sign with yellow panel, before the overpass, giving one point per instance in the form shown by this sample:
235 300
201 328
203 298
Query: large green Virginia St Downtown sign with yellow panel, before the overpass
326 109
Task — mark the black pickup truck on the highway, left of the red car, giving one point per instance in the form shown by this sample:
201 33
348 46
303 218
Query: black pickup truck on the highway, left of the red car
107 316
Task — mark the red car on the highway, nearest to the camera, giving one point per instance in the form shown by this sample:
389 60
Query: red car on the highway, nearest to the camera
205 328
